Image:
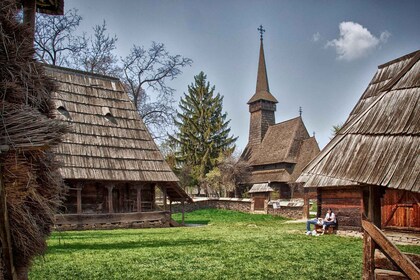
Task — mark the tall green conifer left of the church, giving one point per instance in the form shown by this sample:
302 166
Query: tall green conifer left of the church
203 131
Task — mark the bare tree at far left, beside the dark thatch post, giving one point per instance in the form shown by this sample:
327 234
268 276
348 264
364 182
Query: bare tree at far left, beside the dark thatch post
55 41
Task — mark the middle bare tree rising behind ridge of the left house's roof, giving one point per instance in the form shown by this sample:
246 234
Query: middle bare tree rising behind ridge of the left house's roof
97 57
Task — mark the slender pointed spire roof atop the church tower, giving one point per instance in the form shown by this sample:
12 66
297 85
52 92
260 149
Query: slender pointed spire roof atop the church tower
262 91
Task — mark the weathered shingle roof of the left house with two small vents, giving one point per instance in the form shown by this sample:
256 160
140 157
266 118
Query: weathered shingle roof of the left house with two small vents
109 141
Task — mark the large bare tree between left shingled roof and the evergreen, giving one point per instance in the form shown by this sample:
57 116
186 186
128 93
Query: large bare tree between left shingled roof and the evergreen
147 71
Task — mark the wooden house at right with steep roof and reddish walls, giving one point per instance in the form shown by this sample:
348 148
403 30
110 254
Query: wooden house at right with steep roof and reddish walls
376 153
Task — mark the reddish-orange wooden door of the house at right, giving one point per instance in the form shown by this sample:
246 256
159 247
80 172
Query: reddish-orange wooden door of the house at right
401 210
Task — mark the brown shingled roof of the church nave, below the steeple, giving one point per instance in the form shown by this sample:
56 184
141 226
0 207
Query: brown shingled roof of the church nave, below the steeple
287 142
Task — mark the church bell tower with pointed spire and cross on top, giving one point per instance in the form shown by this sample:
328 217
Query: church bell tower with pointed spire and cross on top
262 104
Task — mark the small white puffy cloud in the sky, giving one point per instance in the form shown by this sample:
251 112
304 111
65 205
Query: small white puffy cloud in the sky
355 41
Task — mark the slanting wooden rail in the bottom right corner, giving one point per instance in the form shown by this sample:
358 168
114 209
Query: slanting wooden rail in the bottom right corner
389 249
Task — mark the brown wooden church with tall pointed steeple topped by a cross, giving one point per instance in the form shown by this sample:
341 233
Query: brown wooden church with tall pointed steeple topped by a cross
277 153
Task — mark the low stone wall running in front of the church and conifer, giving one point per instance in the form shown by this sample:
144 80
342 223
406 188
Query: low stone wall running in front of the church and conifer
239 204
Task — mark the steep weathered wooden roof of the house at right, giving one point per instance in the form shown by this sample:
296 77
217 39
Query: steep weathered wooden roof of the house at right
380 142
